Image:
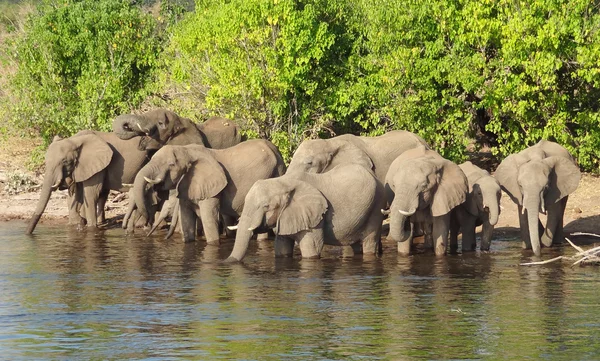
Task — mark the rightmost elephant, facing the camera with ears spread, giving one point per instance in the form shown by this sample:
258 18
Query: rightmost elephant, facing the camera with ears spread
540 179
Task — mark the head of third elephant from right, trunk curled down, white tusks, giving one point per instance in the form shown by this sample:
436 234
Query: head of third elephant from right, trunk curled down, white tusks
420 180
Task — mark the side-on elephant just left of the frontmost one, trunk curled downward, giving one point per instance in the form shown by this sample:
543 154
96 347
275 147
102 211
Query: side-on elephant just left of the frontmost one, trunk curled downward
209 182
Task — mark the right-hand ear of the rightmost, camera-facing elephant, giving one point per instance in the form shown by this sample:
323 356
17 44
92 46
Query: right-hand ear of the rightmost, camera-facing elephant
564 178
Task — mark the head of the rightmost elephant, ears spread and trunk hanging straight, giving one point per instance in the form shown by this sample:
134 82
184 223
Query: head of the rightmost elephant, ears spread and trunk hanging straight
537 177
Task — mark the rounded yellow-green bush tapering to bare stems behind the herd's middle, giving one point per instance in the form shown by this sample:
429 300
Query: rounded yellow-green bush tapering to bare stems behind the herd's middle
273 64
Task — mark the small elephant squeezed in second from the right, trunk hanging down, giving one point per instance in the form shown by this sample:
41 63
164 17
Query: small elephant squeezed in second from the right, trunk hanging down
482 207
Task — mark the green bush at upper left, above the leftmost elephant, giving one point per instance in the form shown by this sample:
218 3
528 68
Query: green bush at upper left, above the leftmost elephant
80 63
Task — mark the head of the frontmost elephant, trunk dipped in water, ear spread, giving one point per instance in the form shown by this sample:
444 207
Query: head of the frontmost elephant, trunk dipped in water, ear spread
284 204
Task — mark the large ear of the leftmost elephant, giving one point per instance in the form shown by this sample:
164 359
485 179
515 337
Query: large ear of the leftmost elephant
94 155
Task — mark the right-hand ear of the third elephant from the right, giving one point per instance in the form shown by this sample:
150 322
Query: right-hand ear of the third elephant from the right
452 188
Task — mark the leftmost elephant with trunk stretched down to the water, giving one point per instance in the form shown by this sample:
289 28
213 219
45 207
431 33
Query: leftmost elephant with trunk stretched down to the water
89 164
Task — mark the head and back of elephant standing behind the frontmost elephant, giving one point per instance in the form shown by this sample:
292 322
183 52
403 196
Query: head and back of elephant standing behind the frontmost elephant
375 153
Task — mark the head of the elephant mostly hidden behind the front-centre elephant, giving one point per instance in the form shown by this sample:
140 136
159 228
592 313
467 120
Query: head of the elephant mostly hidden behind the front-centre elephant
321 155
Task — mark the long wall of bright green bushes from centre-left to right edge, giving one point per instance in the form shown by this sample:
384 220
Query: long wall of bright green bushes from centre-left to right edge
452 71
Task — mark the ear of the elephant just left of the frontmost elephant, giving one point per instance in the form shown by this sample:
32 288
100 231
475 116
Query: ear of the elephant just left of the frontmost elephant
205 178
